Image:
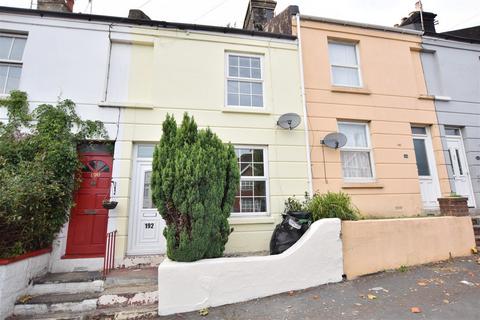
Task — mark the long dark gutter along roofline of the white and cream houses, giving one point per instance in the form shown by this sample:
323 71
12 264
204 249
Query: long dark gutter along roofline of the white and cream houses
140 22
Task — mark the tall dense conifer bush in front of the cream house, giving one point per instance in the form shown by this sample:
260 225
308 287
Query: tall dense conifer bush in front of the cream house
195 177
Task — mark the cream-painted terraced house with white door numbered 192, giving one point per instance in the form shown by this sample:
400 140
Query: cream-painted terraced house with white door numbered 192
200 72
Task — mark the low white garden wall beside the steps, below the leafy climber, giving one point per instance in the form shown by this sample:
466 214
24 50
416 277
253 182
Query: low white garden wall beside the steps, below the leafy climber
15 278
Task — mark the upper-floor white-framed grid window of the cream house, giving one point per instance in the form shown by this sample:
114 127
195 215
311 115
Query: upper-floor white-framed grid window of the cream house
244 80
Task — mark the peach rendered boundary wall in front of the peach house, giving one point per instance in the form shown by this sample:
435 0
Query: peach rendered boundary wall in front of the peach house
371 246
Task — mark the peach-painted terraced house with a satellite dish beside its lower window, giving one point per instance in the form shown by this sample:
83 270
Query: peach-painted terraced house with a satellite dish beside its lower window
367 82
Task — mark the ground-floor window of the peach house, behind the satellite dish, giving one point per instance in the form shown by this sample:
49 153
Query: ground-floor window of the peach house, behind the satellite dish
356 155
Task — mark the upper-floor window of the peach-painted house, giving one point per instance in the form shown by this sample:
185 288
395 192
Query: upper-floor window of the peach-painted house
344 64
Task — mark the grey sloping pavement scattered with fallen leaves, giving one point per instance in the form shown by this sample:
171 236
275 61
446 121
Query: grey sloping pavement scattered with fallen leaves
447 290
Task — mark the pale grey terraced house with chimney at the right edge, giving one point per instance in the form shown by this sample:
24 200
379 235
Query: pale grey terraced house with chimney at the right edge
451 65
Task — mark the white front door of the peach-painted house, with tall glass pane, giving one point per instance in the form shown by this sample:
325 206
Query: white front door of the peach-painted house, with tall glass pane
427 173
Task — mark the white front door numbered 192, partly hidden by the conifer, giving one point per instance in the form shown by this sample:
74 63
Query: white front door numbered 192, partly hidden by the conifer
146 224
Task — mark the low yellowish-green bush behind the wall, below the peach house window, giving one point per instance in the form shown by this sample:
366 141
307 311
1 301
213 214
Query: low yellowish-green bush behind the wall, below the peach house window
333 205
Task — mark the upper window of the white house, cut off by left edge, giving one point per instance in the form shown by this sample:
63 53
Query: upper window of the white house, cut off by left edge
11 53
